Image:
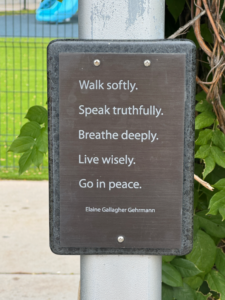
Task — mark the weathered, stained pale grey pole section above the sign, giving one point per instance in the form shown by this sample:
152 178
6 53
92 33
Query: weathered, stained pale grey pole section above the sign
127 19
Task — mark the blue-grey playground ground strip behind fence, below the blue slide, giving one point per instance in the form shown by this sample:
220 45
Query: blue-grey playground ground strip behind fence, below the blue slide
25 25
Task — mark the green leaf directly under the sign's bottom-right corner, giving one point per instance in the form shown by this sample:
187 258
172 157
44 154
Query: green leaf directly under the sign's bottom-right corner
185 267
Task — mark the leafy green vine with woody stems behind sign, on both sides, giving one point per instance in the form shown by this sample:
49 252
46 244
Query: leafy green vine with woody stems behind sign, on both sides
200 275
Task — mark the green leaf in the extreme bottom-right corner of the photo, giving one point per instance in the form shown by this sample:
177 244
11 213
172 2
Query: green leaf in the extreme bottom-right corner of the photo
216 282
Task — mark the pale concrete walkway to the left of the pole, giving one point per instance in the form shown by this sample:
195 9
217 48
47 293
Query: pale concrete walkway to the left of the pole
28 268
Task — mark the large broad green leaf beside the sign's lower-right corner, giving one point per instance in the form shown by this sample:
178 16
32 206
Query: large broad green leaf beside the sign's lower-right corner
204 252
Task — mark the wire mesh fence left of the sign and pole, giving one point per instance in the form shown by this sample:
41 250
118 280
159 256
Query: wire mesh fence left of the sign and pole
23 74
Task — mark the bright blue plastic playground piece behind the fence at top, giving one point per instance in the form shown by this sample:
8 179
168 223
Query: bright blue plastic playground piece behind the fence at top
59 12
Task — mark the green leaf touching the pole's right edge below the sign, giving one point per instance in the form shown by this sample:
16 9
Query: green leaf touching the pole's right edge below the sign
170 275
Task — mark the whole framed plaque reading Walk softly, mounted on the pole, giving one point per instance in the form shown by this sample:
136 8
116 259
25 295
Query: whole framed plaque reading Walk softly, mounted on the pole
121 147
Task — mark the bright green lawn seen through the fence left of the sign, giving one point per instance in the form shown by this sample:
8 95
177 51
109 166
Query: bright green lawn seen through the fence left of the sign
23 83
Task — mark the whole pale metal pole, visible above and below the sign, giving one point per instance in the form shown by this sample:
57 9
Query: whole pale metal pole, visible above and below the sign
121 277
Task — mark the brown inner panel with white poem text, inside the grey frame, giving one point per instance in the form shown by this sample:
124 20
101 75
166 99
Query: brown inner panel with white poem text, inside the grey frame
121 132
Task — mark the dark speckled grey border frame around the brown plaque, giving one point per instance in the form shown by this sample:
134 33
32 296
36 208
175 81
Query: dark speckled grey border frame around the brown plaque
182 47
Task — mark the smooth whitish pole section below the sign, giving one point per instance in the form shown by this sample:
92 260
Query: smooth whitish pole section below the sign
116 277
